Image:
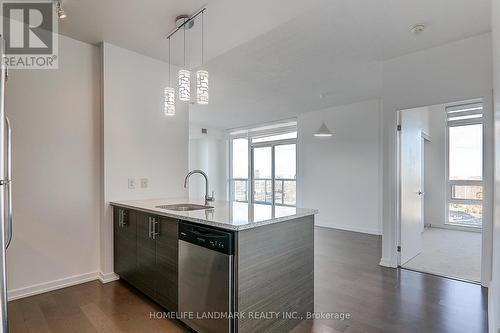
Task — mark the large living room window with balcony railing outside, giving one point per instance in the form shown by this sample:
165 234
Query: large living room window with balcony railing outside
269 153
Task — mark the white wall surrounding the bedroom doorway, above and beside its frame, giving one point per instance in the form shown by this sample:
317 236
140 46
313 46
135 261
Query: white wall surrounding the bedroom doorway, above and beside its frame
452 72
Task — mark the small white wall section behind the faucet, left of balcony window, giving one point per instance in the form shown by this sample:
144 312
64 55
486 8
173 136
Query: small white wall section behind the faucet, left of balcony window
207 152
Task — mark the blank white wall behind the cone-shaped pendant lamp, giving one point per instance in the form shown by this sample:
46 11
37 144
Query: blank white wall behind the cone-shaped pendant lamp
341 175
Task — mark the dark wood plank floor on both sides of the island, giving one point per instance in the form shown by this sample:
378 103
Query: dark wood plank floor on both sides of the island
348 279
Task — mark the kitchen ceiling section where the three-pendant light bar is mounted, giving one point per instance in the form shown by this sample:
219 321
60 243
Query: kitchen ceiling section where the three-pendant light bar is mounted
141 25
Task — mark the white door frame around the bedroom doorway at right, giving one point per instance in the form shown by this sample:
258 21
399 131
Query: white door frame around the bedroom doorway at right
488 179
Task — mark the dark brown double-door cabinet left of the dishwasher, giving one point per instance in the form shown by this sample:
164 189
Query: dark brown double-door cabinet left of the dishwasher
148 259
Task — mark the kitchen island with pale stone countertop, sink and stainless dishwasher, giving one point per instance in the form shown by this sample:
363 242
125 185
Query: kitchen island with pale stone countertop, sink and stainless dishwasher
265 284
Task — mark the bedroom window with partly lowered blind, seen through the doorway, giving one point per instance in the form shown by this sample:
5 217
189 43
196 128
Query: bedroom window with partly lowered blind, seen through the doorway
465 164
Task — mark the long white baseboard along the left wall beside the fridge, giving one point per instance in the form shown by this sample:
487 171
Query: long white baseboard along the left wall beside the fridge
51 285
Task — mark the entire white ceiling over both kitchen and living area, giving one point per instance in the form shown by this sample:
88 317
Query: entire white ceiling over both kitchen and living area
270 60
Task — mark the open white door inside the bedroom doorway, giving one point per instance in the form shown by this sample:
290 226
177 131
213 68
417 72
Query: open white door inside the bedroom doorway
411 182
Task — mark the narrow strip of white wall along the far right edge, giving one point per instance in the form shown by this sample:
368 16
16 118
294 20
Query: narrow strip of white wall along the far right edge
494 290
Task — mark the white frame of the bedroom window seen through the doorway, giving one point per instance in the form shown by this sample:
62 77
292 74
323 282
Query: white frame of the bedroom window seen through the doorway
460 182
